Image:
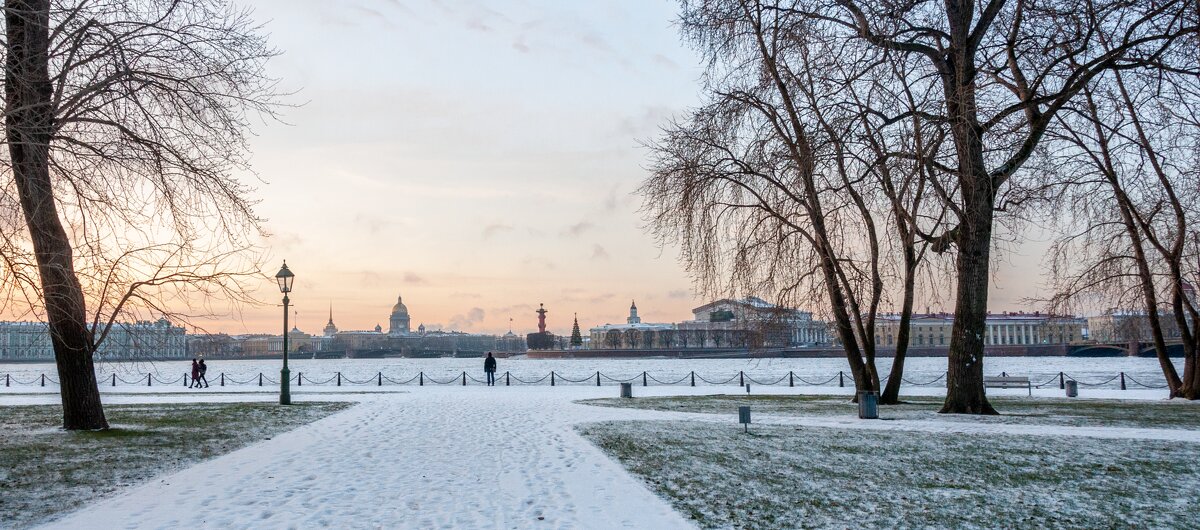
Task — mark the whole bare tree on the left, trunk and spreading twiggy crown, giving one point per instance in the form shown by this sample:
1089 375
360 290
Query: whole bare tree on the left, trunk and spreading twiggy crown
124 122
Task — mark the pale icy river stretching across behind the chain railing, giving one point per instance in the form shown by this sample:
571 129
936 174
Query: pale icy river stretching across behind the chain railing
1103 372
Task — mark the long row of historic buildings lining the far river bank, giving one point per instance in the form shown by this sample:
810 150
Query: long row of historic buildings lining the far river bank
724 324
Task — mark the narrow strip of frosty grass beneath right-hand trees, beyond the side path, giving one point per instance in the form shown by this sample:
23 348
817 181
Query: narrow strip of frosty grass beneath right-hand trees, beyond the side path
1060 412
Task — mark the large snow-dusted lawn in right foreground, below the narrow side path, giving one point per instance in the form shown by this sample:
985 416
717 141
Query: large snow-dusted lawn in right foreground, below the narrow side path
796 477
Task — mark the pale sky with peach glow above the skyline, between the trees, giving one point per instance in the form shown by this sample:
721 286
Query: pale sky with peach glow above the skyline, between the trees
477 159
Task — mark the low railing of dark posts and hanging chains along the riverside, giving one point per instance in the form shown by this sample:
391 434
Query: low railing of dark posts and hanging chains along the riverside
554 378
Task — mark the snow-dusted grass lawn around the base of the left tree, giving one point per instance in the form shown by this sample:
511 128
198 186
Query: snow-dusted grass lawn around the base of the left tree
46 471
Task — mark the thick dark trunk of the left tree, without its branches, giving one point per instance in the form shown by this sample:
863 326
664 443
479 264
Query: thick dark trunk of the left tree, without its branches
29 127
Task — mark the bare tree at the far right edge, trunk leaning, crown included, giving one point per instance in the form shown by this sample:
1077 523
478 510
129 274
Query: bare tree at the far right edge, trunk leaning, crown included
1132 208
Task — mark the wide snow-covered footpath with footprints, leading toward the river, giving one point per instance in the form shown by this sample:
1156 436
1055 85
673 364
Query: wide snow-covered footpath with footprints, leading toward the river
439 459
